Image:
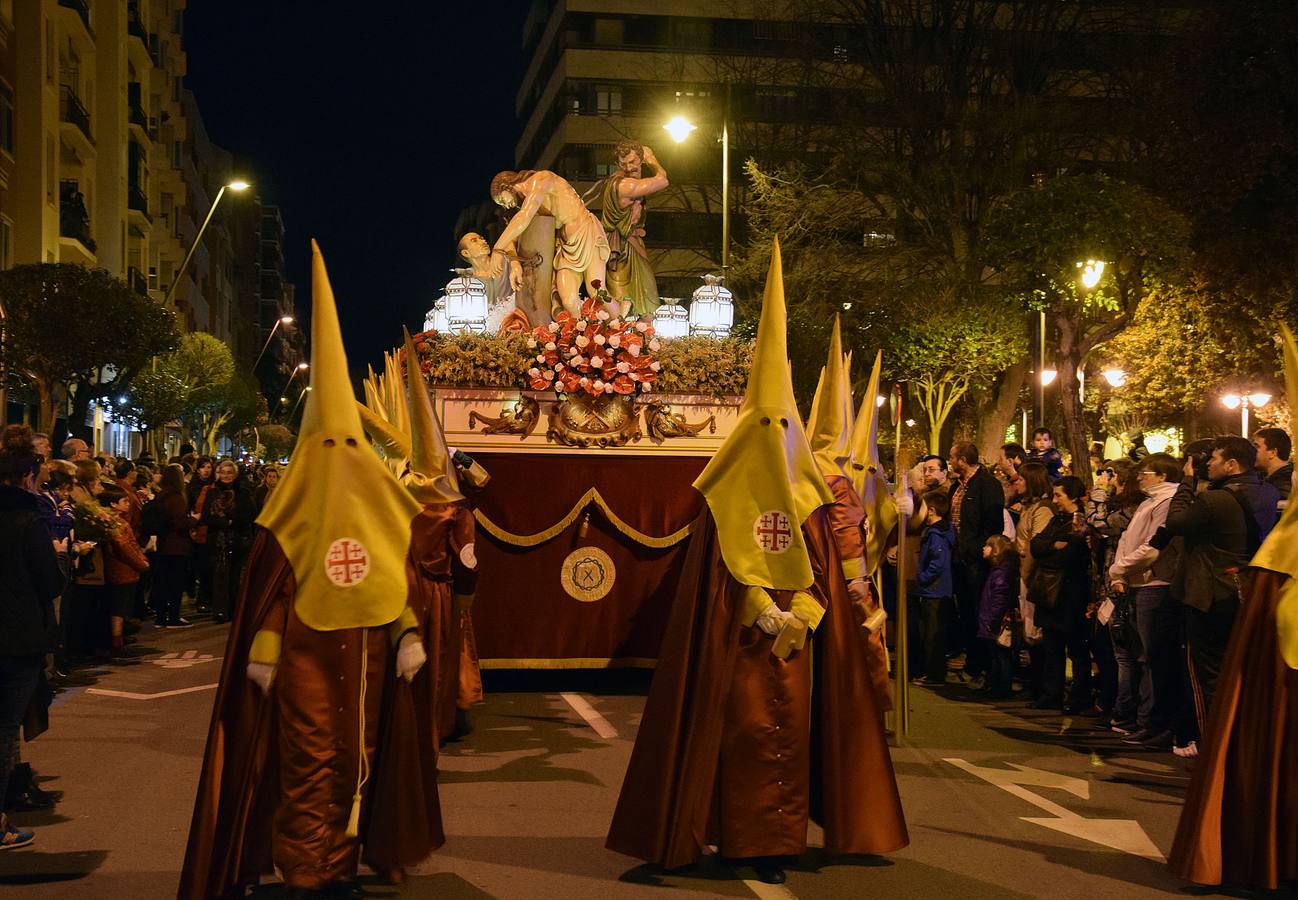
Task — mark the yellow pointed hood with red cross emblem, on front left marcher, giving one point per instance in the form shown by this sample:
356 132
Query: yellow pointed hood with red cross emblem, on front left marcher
338 514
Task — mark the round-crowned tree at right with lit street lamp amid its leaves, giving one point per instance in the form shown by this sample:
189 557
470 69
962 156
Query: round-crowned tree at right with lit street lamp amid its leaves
1039 241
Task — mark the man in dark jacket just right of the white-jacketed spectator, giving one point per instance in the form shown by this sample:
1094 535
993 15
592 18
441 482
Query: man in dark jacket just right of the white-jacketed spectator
1223 529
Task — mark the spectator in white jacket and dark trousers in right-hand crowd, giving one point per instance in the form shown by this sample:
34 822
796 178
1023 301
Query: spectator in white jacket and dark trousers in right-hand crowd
1147 576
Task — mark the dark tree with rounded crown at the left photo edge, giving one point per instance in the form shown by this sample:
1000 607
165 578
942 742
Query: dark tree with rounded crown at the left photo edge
79 333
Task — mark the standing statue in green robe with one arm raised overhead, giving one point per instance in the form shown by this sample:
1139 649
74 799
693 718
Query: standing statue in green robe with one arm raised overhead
622 216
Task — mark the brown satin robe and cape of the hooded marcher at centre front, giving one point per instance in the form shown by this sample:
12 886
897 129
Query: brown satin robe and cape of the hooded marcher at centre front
738 749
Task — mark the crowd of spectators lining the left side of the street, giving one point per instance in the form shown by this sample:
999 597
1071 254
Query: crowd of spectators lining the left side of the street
93 551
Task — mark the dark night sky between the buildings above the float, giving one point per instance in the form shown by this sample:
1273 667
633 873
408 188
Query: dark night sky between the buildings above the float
371 131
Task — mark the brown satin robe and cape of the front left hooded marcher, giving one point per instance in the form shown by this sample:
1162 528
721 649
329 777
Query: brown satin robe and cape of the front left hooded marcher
280 771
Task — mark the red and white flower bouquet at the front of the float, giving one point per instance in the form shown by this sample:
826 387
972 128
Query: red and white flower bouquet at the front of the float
599 353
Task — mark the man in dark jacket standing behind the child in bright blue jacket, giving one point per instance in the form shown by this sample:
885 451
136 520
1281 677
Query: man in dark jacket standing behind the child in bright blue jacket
978 512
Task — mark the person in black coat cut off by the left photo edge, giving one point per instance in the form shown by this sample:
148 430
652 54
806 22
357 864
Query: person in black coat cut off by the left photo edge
29 582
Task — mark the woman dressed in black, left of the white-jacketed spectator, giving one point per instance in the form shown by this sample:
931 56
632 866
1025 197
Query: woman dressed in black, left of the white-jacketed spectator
1061 589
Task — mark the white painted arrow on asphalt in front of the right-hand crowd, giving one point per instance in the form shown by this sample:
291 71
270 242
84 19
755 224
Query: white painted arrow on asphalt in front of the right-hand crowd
1121 834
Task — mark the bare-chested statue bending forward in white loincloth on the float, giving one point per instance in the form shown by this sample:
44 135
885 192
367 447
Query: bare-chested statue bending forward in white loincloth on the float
582 250
